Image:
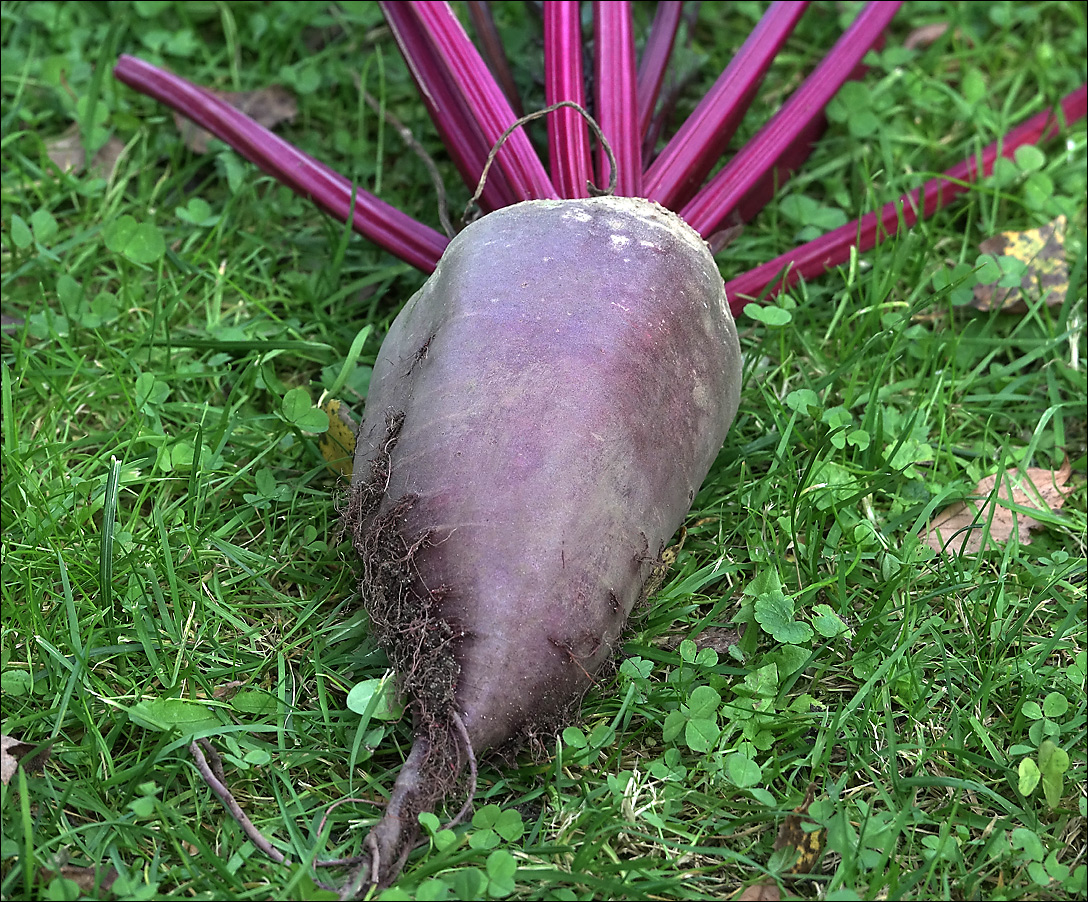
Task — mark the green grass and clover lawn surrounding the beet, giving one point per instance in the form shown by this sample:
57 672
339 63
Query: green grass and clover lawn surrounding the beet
169 559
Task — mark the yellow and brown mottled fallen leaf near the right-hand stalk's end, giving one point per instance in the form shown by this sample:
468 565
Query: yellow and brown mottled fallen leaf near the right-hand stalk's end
1047 276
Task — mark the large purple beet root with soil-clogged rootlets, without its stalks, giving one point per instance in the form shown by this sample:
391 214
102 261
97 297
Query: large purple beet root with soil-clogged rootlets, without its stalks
540 418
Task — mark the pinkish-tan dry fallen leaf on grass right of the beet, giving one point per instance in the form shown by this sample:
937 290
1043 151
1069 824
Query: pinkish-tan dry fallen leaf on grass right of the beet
960 528
